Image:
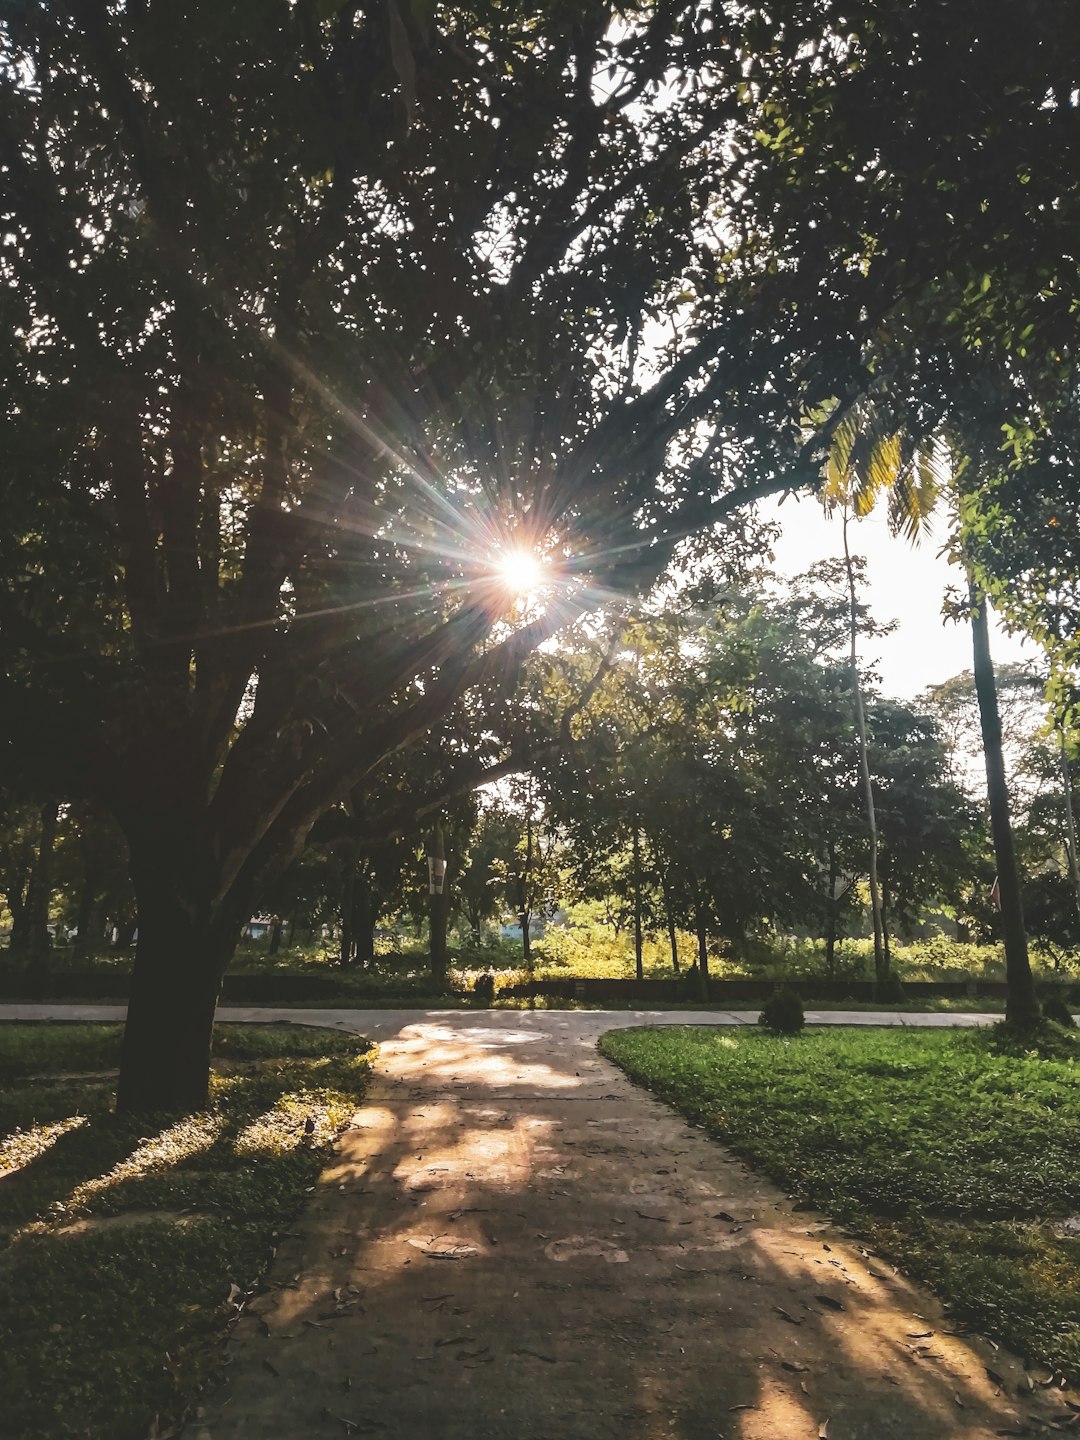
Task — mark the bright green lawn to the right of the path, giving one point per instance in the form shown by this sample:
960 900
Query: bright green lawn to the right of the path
953 1157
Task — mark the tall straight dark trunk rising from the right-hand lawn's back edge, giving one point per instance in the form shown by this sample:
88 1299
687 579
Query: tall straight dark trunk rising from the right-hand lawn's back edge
1022 1003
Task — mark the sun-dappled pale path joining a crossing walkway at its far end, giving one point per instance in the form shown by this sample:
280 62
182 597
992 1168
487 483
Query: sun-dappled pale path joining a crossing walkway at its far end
516 1242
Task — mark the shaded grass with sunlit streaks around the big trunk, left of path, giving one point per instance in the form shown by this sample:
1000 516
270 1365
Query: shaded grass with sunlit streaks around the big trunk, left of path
129 1243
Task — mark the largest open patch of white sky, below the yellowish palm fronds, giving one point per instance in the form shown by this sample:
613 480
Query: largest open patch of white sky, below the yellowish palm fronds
906 584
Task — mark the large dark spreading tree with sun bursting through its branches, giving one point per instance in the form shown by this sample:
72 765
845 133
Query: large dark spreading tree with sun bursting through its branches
313 309
